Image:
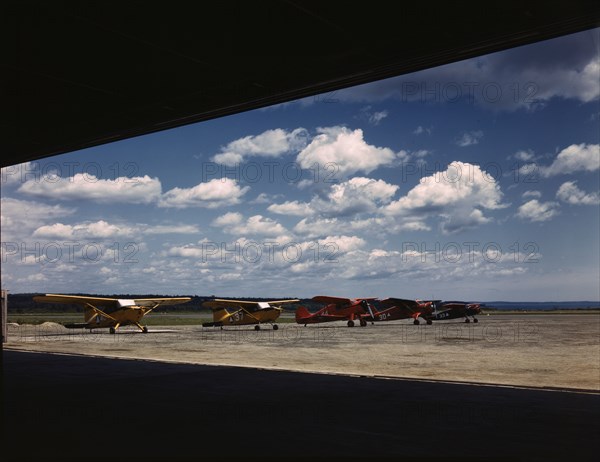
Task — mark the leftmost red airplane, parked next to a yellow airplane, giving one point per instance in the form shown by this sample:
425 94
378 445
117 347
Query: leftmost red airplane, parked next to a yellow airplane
336 309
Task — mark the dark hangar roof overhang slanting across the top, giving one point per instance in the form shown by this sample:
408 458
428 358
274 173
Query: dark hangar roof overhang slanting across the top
81 73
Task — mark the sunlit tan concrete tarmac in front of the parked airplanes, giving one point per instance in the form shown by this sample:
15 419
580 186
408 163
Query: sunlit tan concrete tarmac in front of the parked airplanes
554 351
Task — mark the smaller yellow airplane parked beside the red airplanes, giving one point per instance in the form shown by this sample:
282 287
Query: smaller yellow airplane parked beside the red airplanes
246 312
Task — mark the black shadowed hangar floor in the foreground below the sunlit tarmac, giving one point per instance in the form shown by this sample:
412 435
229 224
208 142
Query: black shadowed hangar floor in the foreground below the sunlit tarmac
61 407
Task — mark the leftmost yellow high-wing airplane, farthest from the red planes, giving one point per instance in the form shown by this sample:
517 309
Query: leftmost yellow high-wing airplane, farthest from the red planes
110 312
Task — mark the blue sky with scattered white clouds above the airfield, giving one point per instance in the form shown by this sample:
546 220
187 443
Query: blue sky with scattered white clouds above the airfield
477 180
